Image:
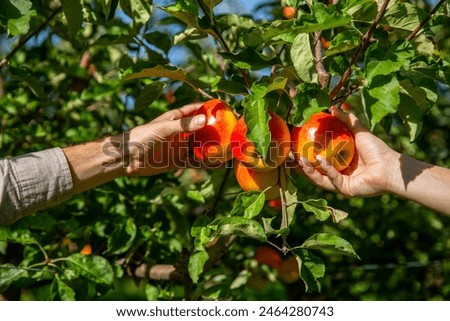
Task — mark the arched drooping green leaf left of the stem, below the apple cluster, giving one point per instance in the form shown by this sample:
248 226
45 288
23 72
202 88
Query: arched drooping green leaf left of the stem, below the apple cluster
240 226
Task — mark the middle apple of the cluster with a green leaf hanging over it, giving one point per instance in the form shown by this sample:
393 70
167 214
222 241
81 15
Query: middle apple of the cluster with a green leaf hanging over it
245 151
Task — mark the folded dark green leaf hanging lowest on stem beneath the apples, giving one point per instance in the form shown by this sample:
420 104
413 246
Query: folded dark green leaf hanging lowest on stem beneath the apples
311 269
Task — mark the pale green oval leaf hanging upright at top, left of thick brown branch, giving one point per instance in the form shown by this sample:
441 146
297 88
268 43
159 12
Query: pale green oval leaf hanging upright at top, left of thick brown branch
303 58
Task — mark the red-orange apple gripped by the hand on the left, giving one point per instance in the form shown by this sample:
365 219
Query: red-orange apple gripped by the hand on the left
211 144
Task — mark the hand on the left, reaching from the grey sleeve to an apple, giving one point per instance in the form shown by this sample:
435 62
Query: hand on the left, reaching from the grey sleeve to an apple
161 145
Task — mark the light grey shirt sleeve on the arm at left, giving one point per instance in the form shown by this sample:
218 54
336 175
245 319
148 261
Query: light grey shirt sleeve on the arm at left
33 182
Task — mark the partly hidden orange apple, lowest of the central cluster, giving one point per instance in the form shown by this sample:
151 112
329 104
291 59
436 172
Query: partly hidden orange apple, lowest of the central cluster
251 180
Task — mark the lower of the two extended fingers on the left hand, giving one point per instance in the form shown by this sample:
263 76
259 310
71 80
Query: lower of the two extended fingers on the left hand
165 129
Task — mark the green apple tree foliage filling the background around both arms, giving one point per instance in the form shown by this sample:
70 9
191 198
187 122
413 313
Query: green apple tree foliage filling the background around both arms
72 71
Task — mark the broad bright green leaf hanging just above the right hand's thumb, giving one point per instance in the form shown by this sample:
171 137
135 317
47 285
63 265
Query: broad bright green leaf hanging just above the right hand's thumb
381 98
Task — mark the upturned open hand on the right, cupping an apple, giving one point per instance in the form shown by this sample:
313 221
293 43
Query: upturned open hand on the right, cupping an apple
369 172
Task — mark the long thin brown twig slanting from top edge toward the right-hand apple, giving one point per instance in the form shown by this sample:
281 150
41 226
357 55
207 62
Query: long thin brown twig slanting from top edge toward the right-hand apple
365 40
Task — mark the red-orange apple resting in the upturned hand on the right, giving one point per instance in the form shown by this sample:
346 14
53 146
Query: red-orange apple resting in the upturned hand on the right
324 134
